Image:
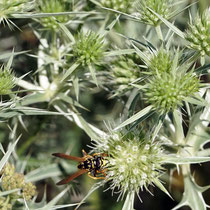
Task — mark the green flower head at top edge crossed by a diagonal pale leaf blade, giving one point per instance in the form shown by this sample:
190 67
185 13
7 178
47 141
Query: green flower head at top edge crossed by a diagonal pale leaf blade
162 7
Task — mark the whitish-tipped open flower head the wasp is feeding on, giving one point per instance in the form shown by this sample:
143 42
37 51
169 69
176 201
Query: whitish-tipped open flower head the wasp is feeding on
132 163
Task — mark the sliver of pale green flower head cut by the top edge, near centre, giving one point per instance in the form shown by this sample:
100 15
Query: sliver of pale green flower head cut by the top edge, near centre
120 5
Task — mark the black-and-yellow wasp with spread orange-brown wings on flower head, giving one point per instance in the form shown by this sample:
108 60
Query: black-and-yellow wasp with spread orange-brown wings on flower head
93 165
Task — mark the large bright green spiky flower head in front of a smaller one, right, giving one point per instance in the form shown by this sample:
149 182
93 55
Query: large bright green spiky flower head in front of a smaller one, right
165 92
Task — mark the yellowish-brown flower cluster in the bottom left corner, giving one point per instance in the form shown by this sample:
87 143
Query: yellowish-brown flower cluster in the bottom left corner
11 180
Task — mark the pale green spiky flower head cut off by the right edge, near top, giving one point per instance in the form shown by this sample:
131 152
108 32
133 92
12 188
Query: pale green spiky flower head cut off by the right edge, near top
198 33
